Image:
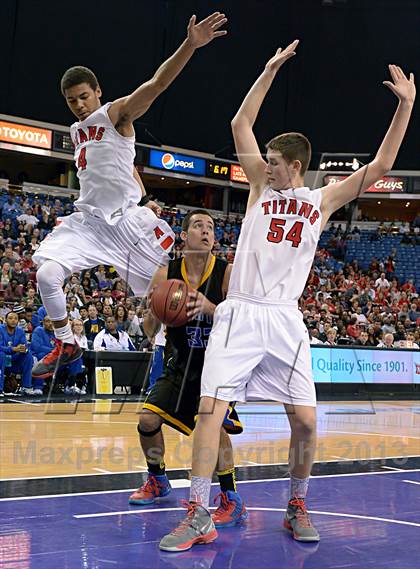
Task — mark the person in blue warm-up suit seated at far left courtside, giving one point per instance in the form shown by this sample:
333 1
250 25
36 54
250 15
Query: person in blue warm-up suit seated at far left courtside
15 354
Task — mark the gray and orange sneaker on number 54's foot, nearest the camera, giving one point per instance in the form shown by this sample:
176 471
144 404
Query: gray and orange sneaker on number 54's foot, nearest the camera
196 528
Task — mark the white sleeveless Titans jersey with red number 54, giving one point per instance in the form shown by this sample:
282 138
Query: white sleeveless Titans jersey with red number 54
276 246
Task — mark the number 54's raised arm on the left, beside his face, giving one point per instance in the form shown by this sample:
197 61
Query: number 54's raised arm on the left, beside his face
245 142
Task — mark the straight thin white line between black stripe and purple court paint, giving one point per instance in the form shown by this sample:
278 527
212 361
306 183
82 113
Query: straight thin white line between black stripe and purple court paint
184 483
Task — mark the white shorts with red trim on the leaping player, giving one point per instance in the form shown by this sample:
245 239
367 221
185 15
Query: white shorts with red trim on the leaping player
136 246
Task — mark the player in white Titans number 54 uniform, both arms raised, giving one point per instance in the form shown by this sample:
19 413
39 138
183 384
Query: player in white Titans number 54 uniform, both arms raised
259 346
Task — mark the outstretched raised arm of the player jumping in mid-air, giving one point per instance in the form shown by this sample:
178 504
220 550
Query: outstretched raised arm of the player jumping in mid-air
130 108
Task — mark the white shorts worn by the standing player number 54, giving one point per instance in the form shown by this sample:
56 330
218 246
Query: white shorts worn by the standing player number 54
258 352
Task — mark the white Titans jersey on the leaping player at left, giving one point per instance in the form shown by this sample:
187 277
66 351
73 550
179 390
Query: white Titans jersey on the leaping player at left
104 160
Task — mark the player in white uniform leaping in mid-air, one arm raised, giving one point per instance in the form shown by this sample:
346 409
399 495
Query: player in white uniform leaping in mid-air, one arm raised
109 228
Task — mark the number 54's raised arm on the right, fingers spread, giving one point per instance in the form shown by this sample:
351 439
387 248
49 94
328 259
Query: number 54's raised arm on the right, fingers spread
337 195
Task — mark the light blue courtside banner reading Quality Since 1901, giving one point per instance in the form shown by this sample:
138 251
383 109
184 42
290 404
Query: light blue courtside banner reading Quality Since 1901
351 365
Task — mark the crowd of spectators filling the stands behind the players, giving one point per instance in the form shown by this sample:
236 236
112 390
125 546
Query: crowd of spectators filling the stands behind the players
341 304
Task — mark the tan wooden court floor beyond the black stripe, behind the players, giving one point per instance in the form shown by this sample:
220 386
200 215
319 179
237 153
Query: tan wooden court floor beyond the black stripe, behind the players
69 439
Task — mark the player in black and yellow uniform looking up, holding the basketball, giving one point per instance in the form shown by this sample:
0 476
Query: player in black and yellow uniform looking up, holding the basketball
175 397
